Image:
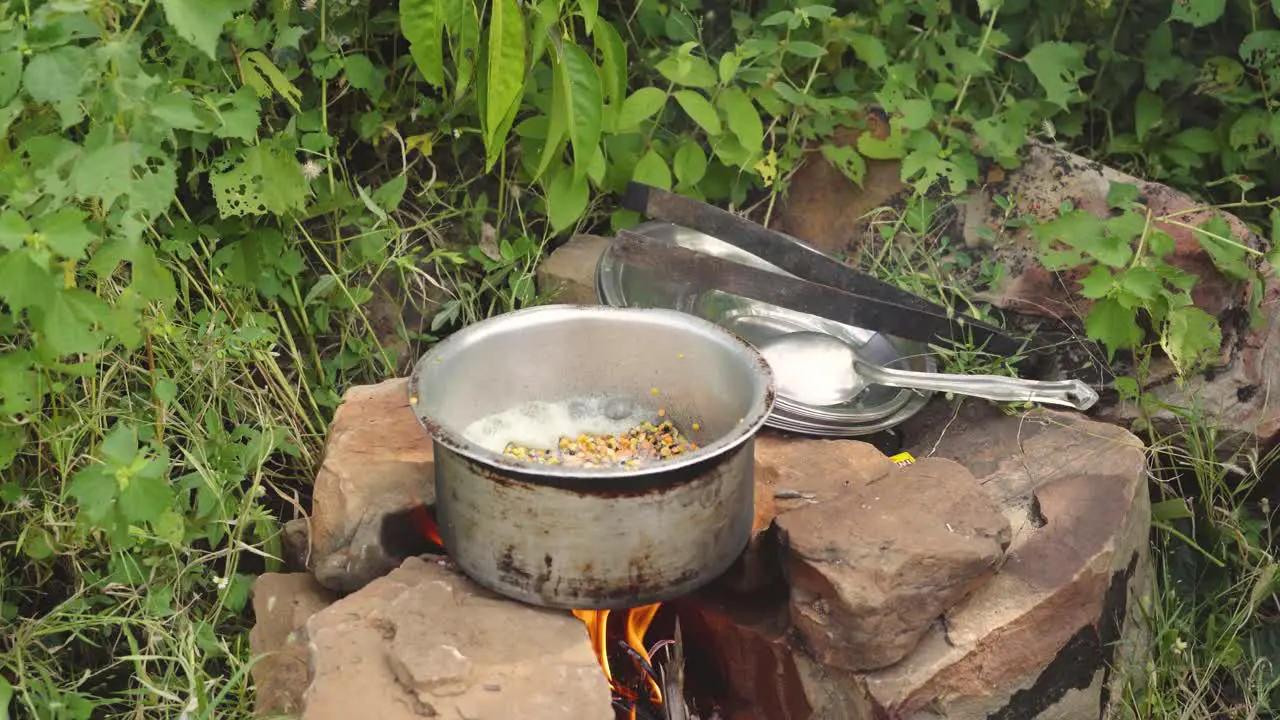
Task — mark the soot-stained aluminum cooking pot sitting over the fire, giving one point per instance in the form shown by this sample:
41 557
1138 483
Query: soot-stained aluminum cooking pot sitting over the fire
605 537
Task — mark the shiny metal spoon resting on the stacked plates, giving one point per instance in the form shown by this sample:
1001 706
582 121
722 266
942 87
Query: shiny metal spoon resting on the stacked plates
819 370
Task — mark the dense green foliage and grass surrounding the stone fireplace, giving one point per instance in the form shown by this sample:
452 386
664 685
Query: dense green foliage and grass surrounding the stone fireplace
207 204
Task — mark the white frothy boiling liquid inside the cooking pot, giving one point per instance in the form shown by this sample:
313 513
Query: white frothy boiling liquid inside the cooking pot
542 425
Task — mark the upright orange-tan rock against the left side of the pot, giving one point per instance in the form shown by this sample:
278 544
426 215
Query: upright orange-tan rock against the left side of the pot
378 466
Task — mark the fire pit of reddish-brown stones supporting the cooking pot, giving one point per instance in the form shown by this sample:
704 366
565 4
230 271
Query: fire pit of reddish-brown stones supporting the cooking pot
1000 576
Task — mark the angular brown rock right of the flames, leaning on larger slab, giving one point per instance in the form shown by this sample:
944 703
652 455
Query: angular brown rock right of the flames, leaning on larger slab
874 568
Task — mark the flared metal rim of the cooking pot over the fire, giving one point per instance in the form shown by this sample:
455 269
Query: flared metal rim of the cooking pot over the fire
751 425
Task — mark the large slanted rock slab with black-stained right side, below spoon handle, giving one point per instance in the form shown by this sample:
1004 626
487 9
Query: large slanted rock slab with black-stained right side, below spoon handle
1044 637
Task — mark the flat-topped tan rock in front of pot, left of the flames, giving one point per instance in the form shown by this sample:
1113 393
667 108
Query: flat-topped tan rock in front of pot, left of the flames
426 642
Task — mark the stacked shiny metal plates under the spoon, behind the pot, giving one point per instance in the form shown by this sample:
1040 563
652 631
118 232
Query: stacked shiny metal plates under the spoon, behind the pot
875 409
